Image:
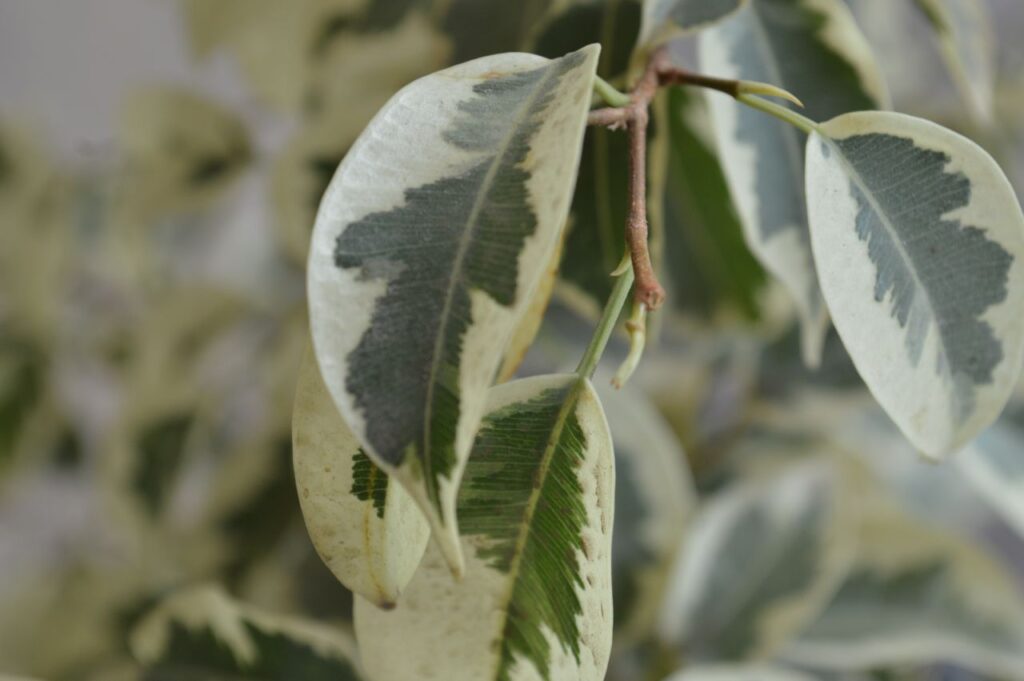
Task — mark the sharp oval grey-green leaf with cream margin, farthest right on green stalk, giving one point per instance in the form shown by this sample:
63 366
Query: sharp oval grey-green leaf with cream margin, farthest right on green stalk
919 239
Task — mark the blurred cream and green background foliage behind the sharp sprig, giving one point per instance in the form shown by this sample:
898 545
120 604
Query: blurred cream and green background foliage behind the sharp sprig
161 164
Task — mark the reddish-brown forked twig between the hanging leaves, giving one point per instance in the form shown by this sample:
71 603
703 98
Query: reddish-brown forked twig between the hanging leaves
634 117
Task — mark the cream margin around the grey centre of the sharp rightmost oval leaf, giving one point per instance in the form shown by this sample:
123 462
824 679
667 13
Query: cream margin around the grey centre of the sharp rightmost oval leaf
914 397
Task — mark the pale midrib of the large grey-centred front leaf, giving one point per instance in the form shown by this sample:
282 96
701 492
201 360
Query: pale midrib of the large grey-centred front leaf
464 242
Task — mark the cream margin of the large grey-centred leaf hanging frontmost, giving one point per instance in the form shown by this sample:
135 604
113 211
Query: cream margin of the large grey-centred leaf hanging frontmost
340 303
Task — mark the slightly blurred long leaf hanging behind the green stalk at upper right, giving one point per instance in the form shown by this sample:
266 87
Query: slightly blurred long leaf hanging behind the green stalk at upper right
815 50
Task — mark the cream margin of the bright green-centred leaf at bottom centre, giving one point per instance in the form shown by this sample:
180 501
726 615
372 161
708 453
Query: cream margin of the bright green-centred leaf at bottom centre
447 631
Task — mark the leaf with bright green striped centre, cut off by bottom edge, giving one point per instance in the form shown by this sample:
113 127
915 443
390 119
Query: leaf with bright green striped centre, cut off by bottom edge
536 510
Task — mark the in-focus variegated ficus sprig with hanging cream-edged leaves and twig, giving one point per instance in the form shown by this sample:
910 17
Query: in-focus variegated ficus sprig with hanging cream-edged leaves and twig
474 514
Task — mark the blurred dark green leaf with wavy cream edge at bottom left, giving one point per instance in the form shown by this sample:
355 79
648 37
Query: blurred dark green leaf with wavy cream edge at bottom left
203 633
